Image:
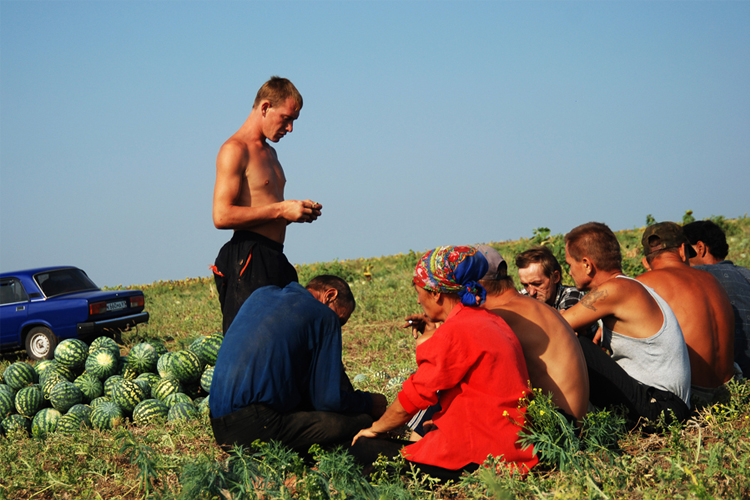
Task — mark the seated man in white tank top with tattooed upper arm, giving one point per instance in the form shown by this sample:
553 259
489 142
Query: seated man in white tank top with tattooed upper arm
648 370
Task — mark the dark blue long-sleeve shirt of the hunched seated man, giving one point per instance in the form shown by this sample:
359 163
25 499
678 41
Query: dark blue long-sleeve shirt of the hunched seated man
283 349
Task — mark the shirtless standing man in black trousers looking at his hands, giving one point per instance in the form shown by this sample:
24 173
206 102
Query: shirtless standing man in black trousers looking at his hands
249 198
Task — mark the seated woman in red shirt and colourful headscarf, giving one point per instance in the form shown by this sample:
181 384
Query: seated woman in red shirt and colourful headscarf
474 360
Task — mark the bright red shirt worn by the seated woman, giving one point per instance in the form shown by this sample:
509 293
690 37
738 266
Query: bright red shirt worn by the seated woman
475 361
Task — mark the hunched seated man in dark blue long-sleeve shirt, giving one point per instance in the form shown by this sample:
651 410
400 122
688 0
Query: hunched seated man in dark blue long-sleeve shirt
279 374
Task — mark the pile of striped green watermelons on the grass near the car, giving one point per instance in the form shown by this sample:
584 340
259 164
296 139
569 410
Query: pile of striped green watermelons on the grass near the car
95 386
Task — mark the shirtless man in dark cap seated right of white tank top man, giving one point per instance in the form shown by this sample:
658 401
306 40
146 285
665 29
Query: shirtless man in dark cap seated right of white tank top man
700 304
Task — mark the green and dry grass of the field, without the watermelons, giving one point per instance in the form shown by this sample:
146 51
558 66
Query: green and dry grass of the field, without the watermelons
708 457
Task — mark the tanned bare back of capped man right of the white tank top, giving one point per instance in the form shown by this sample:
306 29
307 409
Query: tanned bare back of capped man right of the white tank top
705 315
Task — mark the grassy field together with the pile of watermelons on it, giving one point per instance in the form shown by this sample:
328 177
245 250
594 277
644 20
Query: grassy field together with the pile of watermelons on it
135 425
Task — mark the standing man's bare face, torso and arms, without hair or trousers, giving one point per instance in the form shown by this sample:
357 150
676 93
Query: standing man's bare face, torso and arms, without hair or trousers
249 189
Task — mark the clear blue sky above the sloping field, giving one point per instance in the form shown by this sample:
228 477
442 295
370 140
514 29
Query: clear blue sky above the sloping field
425 123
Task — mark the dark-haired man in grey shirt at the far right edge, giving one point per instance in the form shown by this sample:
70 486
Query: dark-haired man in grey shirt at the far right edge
710 245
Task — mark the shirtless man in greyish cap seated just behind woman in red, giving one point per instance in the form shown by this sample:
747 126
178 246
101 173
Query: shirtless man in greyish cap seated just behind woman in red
550 347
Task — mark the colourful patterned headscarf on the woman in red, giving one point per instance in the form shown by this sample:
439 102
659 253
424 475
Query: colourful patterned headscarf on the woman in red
453 270
